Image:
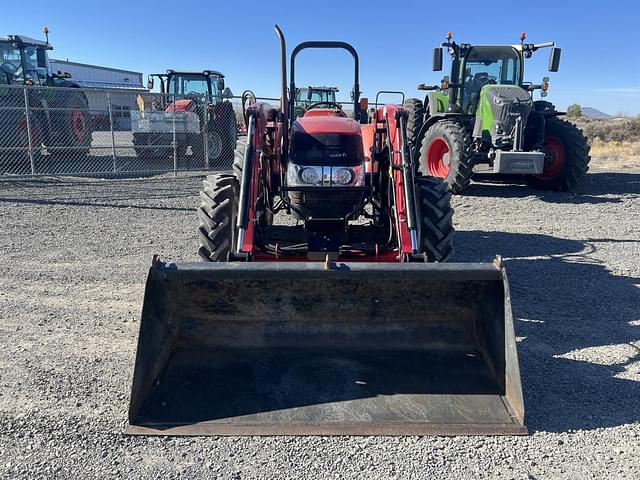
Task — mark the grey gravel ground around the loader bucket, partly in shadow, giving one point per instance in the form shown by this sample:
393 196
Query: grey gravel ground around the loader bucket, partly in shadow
75 254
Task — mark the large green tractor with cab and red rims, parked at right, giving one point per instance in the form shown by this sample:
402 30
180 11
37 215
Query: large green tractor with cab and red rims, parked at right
484 115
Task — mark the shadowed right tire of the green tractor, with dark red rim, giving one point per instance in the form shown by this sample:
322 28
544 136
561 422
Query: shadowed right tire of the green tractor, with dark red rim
569 151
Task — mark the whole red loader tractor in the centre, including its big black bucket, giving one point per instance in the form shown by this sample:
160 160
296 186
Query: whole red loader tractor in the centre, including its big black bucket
336 317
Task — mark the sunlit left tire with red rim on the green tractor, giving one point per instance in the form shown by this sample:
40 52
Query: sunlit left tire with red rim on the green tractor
443 154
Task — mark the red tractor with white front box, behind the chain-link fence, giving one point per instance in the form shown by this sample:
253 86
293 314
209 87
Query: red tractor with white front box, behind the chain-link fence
194 105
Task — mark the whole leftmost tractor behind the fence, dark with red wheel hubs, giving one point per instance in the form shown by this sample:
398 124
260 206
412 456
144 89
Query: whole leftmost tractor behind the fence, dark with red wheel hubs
58 123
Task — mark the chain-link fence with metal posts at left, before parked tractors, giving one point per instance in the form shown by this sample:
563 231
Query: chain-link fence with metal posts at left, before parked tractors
57 131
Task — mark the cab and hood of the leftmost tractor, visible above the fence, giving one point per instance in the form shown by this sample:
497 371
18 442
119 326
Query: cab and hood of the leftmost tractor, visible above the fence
25 61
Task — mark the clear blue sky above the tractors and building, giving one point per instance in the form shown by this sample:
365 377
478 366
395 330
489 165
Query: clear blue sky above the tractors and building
600 63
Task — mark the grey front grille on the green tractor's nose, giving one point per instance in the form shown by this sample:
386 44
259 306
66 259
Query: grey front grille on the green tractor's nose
507 104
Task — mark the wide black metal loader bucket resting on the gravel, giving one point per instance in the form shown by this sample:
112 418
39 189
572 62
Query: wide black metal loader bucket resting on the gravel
299 349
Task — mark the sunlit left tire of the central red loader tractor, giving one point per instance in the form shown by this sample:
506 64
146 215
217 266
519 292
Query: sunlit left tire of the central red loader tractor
217 215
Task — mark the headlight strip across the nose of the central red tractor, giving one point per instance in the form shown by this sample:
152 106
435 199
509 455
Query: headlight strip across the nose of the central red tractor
311 176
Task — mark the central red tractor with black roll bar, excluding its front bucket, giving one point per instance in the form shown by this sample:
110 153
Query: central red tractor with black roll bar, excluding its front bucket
349 185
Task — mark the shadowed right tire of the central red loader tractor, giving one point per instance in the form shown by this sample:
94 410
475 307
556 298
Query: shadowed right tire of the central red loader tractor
436 218
